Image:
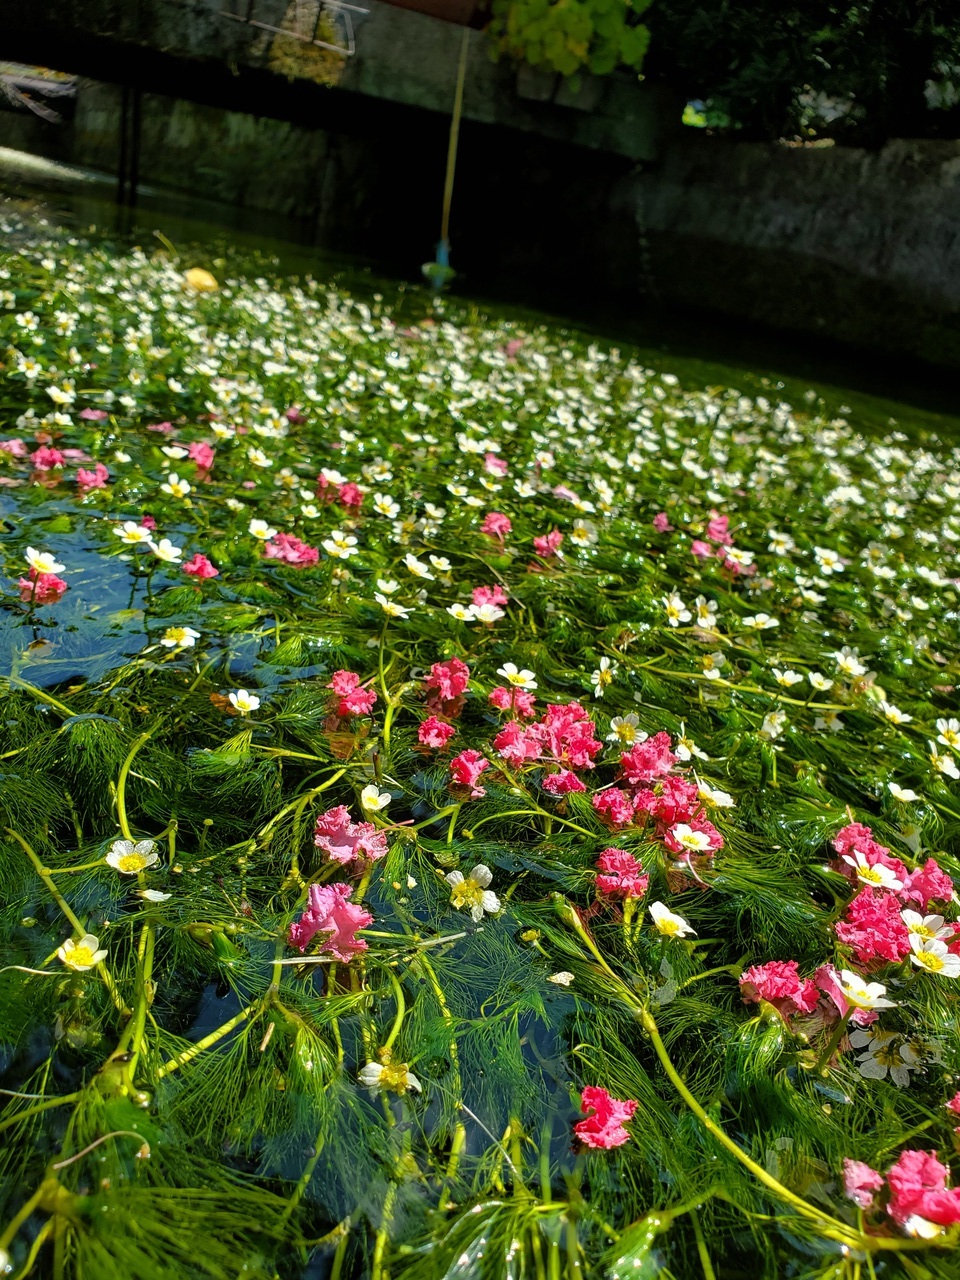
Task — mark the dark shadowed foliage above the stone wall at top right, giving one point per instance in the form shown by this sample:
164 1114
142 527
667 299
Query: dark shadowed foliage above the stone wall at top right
860 72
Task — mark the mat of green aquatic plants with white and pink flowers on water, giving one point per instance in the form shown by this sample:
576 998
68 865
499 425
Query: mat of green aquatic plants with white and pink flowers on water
472 804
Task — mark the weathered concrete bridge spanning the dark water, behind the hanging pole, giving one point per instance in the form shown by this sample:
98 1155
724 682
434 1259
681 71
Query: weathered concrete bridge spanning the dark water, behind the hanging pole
328 65
